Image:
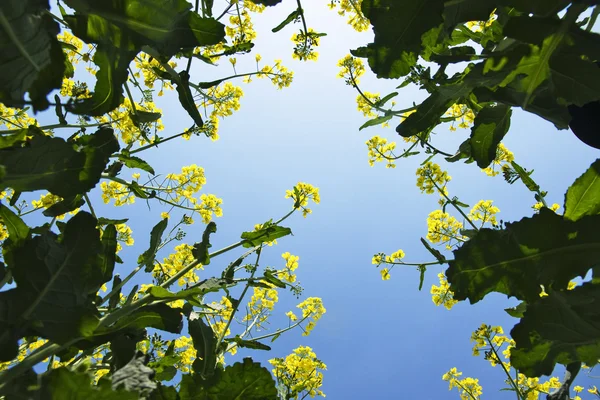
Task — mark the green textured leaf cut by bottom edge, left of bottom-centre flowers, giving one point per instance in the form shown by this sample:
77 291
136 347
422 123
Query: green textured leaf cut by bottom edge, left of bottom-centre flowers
246 380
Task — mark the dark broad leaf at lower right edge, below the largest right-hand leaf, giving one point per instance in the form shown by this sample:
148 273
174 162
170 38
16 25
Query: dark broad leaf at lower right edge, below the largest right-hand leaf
560 328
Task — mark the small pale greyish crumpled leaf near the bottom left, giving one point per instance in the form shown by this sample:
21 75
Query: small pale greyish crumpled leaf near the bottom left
135 376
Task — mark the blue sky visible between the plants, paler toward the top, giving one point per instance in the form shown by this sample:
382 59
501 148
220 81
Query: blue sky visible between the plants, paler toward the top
380 340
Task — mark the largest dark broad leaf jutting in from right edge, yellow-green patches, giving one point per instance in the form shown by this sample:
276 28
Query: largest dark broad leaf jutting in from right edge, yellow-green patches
545 249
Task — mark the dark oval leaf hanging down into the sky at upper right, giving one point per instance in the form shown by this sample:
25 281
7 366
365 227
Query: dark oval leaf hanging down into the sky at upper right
491 124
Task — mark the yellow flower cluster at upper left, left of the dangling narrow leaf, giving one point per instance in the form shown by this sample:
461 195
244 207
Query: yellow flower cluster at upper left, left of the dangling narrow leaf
121 120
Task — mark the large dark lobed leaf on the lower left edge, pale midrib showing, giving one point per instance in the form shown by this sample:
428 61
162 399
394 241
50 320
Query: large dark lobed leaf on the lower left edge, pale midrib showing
55 284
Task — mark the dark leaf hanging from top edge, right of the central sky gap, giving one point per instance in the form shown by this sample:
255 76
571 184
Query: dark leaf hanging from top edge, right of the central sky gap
398 26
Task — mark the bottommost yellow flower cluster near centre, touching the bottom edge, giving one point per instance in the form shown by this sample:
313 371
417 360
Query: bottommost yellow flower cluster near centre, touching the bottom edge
300 372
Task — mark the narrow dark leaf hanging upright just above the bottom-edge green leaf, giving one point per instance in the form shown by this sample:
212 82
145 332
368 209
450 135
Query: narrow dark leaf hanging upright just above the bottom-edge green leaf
205 343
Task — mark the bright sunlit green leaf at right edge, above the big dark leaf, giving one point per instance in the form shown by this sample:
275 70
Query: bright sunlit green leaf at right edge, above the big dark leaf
583 196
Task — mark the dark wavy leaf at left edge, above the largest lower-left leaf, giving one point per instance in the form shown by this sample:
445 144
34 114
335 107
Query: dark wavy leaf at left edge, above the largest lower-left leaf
58 167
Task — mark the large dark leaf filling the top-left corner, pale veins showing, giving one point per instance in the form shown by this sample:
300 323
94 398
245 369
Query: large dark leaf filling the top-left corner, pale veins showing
31 58
